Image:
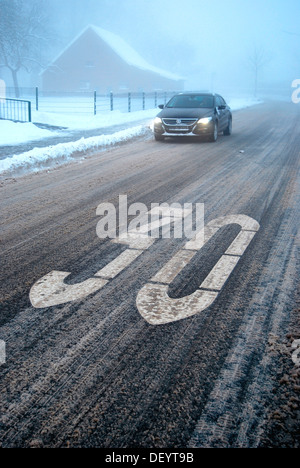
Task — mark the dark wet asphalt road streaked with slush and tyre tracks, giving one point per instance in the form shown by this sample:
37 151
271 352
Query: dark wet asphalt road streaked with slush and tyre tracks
164 345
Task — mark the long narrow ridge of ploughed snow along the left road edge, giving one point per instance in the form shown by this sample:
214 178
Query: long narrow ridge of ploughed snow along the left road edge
44 157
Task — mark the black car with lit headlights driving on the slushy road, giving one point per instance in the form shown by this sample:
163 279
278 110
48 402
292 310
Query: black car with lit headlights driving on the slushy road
193 114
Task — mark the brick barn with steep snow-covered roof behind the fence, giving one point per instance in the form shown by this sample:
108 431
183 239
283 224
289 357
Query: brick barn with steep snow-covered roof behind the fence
98 60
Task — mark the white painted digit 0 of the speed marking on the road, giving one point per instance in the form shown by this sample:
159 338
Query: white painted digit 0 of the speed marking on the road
153 301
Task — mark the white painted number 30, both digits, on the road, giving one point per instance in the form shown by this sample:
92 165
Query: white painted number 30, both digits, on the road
153 301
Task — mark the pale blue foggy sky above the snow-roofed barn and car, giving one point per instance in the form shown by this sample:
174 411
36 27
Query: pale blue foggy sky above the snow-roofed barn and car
209 42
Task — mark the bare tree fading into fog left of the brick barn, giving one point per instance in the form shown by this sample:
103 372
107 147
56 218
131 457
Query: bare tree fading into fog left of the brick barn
22 36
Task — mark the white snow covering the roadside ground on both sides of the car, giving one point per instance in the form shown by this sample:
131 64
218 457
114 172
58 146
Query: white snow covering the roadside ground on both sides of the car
12 133
